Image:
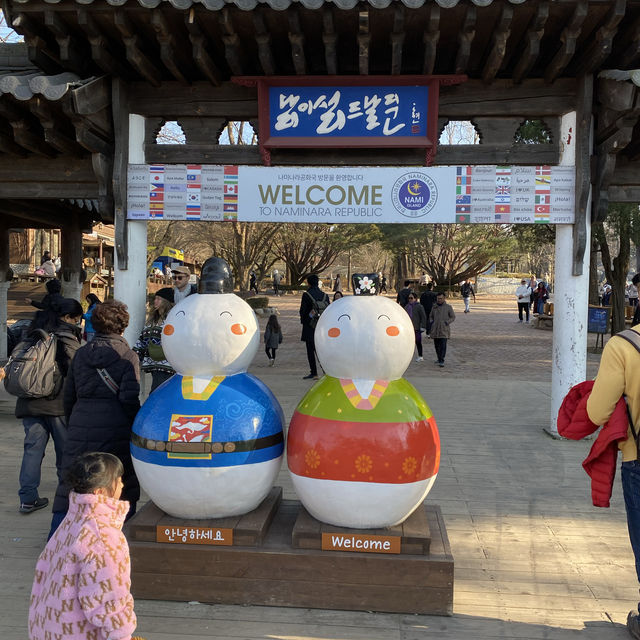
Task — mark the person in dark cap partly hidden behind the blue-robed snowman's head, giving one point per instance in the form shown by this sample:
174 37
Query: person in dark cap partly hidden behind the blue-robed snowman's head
149 344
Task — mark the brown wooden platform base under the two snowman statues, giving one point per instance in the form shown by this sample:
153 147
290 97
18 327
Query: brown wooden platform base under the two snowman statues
277 573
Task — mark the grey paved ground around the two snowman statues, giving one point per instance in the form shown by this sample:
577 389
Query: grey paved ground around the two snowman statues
533 558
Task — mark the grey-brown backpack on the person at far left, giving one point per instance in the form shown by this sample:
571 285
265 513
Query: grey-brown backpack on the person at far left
32 370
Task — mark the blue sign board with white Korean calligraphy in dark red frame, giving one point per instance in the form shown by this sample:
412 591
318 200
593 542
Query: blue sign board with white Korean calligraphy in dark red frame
307 112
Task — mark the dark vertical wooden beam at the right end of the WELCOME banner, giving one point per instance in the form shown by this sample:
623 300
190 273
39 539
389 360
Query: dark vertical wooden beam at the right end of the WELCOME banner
584 116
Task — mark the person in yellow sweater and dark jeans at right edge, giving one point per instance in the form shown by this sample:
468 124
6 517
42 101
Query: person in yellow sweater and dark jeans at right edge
619 377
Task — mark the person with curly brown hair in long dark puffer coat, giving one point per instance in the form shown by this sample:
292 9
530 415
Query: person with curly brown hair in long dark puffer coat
101 401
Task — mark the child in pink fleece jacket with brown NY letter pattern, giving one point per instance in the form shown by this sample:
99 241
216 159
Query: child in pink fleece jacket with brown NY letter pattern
82 581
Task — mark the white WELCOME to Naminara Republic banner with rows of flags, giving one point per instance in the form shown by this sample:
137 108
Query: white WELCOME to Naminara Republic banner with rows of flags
463 194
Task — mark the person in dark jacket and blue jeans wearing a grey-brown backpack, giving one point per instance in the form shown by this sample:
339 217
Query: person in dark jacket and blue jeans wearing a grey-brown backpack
43 418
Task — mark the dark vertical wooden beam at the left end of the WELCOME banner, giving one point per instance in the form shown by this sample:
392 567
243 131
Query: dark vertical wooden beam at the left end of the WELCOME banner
121 110
